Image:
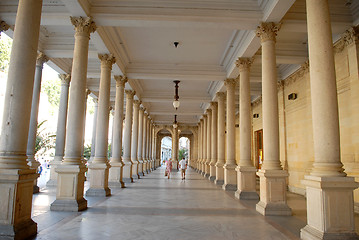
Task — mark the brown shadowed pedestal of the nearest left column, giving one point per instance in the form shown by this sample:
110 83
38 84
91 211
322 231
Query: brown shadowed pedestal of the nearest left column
16 187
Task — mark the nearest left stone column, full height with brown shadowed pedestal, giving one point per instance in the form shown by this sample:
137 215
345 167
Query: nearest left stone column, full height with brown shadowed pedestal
16 178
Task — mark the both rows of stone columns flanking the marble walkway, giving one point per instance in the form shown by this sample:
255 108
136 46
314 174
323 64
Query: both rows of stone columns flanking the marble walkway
329 190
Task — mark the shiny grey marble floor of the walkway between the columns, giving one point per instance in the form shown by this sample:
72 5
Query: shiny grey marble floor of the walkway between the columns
155 207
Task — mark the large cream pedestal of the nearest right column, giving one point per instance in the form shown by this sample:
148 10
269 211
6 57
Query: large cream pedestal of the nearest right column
330 205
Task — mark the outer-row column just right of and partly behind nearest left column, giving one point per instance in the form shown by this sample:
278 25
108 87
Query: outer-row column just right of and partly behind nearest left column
31 139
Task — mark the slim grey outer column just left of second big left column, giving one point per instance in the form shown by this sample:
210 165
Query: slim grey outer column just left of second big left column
61 129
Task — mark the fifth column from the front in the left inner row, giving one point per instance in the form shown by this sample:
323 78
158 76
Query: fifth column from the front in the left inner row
127 164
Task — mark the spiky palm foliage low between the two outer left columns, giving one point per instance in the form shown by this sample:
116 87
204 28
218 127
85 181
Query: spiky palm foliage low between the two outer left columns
44 141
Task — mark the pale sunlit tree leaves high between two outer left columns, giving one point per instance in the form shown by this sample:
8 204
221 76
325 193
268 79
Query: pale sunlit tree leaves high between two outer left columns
52 88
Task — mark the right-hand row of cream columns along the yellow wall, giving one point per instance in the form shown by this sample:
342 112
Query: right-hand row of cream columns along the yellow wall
330 212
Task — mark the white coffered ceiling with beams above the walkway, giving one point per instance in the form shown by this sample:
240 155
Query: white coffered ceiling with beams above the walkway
212 34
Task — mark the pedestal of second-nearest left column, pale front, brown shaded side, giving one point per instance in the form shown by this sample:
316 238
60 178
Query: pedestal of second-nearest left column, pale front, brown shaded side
70 188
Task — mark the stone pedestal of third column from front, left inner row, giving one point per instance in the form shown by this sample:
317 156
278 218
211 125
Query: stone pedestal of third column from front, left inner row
99 180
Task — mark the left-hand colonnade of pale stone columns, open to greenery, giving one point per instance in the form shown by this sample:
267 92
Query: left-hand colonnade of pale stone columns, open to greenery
17 163
